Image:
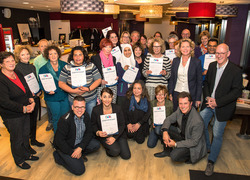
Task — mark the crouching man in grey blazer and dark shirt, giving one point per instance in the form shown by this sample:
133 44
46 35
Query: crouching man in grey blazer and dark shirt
187 139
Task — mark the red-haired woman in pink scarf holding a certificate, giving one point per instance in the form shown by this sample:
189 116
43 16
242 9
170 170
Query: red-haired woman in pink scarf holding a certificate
105 63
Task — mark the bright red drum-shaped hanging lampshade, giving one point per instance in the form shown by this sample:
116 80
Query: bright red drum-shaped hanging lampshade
201 10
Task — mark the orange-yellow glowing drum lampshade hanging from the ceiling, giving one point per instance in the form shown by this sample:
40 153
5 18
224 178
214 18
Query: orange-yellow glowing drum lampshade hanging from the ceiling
151 11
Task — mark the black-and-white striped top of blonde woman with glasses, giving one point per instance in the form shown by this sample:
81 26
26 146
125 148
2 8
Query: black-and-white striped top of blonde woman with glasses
154 81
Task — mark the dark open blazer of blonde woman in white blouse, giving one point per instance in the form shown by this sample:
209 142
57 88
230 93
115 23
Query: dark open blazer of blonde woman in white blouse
194 77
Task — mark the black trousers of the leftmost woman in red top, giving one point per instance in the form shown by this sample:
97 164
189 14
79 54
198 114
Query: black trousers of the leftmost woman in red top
19 129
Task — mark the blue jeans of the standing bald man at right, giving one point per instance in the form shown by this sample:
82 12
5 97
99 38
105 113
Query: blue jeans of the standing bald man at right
218 131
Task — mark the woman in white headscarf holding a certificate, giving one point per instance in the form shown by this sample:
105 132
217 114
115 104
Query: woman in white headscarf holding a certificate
128 71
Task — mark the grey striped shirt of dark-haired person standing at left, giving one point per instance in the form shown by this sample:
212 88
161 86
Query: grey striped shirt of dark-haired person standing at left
92 74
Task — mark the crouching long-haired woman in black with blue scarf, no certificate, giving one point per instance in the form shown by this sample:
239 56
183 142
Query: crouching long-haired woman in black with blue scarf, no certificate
137 112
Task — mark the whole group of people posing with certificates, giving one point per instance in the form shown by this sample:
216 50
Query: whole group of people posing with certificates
76 112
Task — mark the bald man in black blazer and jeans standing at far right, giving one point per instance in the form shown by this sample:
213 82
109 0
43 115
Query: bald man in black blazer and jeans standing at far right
222 87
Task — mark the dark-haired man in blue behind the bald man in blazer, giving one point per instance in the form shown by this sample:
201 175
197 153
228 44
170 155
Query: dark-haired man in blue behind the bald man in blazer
211 48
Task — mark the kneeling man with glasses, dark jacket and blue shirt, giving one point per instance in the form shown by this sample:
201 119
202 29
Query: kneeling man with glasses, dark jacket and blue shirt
74 139
